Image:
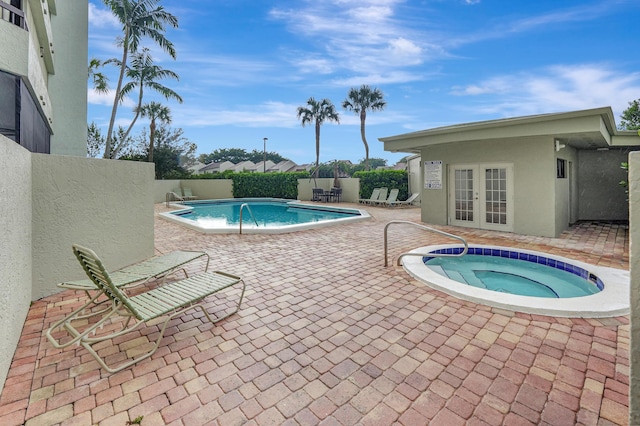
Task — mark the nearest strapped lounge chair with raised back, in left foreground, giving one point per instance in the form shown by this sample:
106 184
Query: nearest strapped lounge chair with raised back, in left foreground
167 301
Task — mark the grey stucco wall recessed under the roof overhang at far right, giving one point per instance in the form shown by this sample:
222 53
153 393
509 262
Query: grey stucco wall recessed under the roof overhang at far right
599 174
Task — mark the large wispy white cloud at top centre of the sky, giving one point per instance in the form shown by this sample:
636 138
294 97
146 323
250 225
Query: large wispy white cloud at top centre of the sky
358 37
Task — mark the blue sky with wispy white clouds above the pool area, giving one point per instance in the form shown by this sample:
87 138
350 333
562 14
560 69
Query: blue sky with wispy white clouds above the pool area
246 65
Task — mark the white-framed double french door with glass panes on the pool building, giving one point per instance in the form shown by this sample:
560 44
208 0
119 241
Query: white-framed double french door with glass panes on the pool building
481 196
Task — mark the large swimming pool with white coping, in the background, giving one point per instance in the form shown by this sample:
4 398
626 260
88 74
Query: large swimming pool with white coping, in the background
259 215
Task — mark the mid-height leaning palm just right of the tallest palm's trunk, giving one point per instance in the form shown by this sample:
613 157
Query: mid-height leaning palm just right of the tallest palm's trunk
143 73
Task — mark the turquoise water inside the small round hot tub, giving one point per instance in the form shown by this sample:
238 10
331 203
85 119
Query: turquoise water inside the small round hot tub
516 273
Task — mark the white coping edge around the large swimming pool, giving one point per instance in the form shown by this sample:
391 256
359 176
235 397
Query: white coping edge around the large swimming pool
248 228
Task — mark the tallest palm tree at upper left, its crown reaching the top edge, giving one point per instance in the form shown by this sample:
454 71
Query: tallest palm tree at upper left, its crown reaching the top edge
139 18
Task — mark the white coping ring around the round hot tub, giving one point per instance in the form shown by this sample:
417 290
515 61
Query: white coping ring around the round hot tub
612 301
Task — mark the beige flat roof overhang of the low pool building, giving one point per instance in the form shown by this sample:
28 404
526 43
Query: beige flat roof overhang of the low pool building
585 129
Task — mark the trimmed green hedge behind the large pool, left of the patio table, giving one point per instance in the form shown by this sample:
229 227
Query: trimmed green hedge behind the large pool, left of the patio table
272 185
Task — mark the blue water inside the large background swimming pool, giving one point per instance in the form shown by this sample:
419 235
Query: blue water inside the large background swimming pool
267 214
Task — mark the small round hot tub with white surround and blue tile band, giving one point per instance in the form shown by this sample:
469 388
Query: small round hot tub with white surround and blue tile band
604 292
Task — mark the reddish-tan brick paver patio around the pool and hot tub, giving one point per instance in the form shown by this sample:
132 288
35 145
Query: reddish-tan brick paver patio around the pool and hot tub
328 335
